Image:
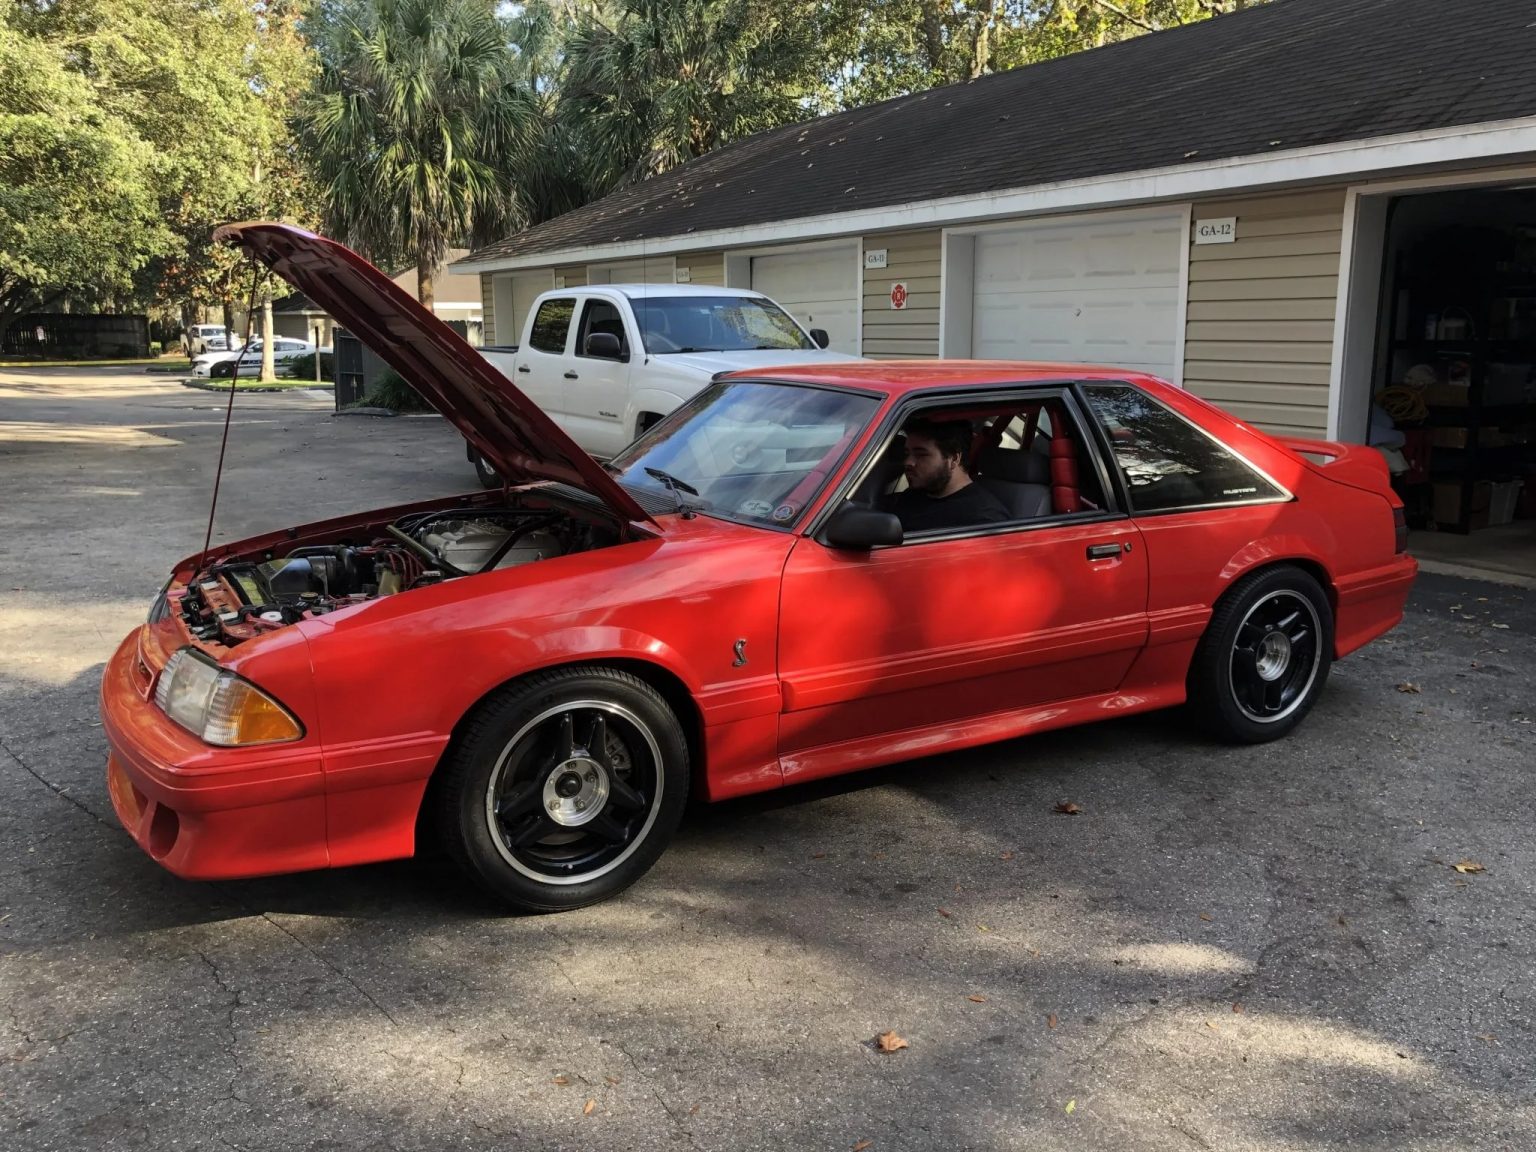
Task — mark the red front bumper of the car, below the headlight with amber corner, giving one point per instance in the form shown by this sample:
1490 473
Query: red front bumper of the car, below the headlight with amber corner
200 812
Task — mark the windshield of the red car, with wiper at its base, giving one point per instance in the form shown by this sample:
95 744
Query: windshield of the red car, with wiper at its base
747 452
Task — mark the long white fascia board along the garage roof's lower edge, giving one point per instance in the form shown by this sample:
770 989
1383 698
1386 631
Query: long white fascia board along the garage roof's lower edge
1345 161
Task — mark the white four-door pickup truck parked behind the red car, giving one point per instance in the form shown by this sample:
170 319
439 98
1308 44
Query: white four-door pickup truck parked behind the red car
611 360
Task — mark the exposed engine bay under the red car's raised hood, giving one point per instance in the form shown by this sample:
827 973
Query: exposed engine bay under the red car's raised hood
236 600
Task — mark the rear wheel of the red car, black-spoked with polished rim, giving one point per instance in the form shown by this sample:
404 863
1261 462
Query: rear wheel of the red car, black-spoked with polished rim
1265 657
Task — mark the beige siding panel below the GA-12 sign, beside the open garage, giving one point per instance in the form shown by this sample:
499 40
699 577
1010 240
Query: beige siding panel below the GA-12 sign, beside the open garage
1259 337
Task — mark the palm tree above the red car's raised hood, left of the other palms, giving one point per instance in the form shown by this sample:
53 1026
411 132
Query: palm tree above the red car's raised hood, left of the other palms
415 127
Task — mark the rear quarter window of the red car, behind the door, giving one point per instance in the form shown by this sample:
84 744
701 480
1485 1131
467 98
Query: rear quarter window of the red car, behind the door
1170 463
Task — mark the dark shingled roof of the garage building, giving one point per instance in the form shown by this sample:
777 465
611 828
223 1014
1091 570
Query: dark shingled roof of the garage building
1282 76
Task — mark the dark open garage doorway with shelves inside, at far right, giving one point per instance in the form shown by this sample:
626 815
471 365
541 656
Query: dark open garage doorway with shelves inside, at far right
1449 386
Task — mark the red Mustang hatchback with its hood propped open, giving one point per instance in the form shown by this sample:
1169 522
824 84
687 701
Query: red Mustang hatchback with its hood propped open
541 675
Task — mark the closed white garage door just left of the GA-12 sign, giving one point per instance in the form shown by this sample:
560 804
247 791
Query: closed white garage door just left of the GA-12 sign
1081 294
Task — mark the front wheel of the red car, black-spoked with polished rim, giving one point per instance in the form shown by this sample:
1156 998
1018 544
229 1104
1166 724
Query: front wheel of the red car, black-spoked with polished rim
540 819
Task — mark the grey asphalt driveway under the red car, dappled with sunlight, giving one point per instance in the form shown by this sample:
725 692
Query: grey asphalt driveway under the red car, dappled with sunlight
1266 950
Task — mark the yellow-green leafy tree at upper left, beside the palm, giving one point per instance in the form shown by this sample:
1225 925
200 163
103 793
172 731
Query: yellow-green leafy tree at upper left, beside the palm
202 88
